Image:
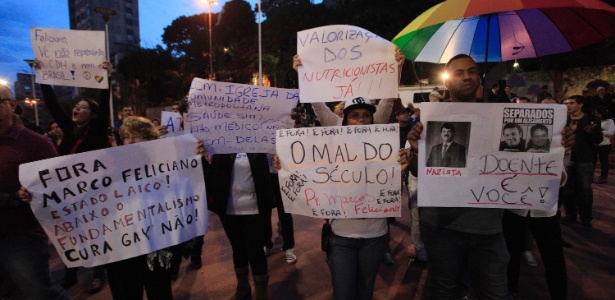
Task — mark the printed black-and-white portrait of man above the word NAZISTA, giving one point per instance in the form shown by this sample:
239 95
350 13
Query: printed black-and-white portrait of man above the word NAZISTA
448 153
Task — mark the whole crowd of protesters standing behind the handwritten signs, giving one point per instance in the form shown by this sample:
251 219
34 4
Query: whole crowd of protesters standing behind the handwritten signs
485 244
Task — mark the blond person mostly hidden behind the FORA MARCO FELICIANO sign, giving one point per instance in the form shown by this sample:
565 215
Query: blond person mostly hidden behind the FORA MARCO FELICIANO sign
128 278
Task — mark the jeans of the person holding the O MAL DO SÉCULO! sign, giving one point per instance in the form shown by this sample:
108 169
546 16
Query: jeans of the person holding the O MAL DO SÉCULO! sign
354 265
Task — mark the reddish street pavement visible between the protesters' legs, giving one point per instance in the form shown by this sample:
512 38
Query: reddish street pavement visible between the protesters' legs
590 262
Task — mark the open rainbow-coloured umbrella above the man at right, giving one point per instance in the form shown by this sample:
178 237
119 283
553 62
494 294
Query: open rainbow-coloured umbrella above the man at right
502 30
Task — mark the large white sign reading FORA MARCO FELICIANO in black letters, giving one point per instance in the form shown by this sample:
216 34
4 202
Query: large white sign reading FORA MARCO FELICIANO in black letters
108 205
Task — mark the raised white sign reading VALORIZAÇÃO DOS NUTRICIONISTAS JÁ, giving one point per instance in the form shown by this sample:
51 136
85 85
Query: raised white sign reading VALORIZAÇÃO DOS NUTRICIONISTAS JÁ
341 62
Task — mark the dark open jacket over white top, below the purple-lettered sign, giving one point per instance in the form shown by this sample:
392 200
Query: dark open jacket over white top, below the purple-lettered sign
218 175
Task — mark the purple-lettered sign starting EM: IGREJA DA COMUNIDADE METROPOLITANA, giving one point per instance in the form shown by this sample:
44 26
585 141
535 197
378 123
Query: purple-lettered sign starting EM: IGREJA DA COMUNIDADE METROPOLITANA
234 118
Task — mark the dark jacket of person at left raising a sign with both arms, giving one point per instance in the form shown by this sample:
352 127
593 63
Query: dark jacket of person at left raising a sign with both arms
94 134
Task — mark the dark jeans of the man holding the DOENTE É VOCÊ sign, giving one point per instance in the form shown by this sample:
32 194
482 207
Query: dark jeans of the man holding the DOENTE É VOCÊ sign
451 253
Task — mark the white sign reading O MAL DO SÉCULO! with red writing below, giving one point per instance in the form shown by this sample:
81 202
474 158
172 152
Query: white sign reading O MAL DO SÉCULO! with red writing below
340 172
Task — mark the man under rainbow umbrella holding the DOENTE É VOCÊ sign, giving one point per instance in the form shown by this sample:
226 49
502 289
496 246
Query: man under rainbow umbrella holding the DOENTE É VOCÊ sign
463 238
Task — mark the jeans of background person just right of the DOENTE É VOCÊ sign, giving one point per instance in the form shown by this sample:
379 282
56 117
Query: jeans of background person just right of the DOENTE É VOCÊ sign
580 177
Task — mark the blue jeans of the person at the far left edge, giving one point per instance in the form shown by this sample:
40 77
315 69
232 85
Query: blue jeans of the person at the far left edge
25 261
